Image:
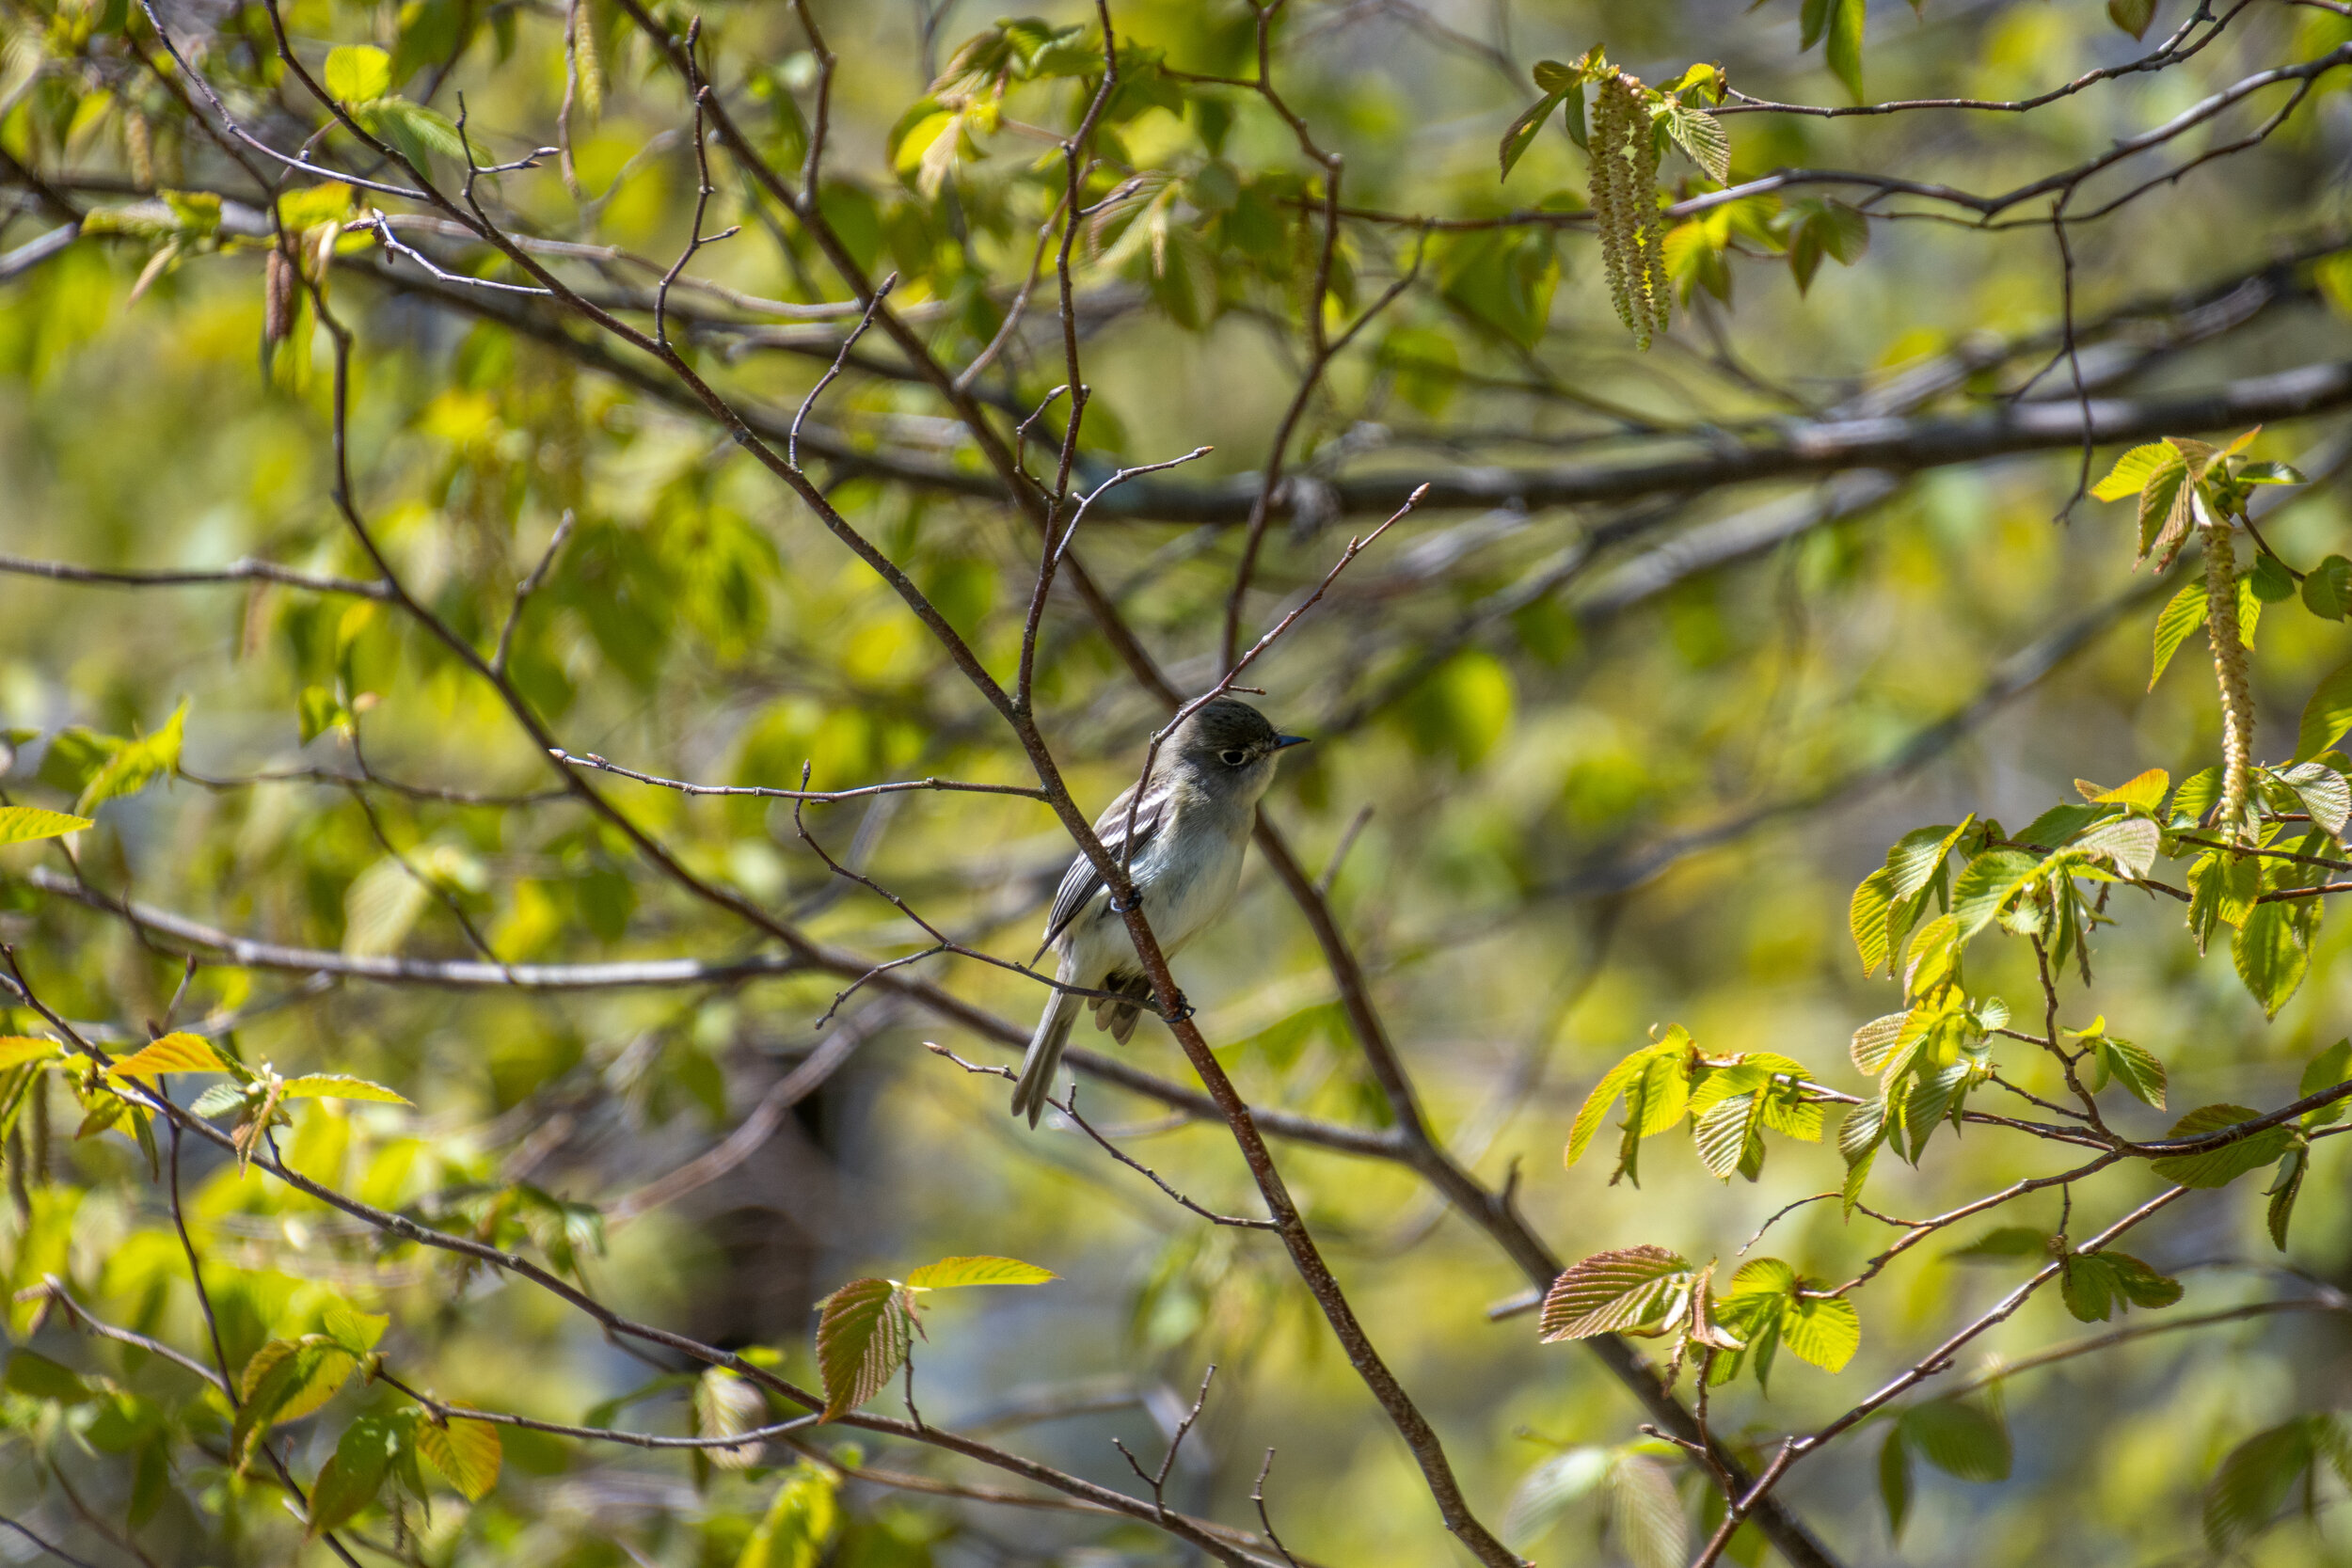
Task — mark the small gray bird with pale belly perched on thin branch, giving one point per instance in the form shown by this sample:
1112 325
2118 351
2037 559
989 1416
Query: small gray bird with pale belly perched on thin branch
1191 829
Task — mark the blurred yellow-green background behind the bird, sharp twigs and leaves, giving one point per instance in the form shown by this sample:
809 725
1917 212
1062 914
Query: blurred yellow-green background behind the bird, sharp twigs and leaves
1638 793
